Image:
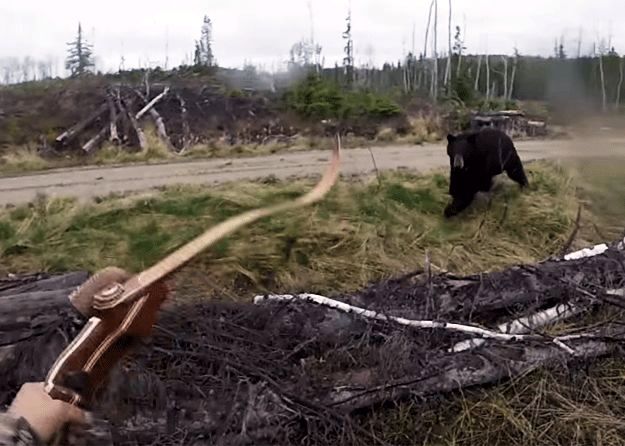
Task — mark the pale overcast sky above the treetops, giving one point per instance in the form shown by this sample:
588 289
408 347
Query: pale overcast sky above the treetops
261 32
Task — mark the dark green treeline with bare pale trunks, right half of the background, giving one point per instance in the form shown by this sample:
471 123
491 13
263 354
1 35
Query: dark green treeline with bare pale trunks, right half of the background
594 81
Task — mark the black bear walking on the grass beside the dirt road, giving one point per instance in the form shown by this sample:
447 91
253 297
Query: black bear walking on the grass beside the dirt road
475 158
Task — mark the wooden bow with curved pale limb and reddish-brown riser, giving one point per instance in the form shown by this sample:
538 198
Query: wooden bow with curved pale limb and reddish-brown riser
122 311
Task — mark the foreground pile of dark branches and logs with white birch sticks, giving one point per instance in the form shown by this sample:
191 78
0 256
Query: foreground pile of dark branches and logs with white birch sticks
303 369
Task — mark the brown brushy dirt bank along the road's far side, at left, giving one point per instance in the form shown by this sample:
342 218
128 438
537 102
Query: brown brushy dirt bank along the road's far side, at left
192 113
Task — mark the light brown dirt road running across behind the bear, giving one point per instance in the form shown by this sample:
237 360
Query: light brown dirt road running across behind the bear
91 182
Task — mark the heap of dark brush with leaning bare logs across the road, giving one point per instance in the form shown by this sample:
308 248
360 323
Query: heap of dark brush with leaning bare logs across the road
182 117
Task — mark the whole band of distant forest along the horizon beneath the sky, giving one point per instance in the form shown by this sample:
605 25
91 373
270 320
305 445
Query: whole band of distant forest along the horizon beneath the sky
593 81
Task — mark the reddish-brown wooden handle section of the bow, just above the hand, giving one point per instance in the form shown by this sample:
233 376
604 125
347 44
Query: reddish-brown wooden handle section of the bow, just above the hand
107 337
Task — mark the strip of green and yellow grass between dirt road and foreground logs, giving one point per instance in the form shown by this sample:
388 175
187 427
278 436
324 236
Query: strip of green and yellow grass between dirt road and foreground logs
360 232
